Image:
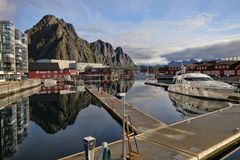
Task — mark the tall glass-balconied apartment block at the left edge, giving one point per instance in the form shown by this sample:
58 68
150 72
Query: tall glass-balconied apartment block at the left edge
13 51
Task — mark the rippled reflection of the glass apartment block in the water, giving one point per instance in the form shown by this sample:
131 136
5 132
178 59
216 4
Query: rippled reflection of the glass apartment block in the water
14 126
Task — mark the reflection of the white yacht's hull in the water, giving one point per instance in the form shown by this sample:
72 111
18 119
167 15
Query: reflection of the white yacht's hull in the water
191 106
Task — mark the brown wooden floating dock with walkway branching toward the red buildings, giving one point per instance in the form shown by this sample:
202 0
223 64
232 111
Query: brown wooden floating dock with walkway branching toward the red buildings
194 139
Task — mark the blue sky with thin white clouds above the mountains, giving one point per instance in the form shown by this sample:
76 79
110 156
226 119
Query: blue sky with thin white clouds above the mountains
146 29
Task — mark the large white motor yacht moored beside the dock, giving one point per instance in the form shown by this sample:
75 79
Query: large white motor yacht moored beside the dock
200 85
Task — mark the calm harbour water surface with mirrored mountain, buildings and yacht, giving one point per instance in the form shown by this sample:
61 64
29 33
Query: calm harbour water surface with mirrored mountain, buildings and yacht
50 125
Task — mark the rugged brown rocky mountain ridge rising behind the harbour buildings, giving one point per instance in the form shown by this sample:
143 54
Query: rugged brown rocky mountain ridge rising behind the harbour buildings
53 38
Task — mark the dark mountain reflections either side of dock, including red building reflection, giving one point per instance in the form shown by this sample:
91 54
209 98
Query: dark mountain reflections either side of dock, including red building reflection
56 107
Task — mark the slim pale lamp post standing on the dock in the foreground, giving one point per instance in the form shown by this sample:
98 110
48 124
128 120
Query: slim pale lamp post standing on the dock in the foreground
123 134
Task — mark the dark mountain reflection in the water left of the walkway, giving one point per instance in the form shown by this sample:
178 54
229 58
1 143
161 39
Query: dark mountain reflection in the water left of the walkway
53 112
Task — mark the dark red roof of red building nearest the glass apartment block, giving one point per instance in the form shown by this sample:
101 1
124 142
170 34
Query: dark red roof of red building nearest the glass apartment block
44 67
